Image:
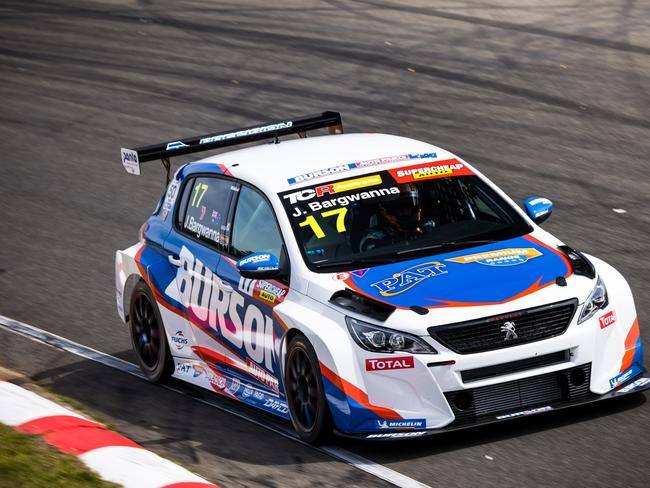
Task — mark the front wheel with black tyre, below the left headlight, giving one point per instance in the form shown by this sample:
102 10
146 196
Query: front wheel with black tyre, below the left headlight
310 413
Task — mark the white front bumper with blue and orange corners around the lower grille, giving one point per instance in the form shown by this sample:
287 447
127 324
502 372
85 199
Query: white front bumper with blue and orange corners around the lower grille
515 381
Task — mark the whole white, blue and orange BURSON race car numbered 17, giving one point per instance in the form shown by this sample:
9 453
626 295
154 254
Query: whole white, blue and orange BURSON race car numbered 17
367 284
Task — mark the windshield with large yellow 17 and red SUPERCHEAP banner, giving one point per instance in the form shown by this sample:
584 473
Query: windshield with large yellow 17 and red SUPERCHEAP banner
397 214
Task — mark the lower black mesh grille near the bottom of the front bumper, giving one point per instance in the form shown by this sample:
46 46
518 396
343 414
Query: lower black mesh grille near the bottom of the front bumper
564 386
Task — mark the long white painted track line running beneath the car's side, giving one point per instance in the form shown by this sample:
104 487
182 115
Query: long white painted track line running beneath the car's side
58 342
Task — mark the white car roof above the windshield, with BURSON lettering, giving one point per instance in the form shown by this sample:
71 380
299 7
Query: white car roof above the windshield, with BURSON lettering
270 167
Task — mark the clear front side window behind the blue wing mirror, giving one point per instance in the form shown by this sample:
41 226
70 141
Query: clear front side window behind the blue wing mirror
254 226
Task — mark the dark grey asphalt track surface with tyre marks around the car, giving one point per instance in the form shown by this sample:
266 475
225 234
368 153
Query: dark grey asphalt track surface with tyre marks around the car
546 97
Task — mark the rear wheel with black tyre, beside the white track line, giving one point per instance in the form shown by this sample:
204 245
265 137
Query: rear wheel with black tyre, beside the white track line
148 335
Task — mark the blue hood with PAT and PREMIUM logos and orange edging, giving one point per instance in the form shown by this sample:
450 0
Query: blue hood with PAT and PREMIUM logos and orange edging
489 274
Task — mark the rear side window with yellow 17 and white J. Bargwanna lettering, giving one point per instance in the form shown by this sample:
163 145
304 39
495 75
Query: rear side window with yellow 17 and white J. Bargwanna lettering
204 210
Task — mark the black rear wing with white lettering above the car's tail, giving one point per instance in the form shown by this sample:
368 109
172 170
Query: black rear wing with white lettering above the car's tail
131 158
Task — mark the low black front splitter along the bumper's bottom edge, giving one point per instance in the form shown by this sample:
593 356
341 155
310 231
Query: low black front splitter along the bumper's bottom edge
584 397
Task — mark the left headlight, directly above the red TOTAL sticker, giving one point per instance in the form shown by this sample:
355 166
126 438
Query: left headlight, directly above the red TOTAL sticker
379 339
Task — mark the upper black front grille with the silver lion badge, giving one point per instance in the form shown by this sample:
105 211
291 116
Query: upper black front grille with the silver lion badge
489 333
